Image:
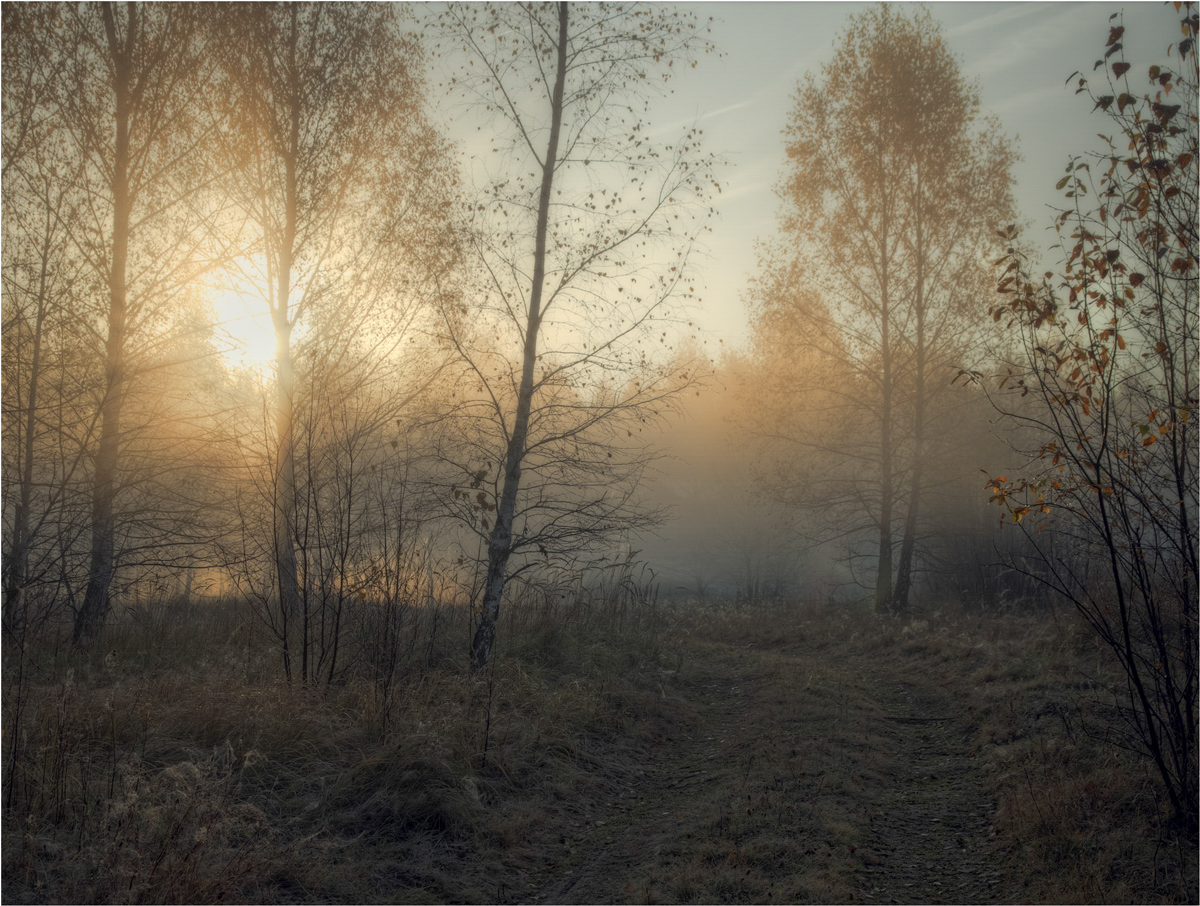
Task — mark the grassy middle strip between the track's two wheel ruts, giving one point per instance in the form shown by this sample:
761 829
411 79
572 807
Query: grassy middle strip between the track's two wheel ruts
775 807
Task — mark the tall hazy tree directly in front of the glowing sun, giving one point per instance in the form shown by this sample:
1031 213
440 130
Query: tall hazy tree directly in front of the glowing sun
350 191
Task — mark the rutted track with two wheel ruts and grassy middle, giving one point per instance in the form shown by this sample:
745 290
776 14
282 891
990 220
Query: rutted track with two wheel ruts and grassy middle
793 781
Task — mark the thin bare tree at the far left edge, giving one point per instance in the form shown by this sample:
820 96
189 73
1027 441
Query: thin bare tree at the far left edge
49 418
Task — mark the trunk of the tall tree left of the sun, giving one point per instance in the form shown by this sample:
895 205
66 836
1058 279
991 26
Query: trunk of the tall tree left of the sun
91 619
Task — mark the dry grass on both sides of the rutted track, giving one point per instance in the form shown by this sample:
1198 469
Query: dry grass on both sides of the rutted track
172 764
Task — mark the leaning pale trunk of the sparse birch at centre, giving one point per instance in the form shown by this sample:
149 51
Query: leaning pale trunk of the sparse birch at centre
500 545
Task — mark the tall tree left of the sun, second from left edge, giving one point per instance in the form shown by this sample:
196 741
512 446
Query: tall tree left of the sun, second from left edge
130 98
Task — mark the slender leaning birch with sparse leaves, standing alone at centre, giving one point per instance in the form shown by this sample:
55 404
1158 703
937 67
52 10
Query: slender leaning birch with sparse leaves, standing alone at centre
571 287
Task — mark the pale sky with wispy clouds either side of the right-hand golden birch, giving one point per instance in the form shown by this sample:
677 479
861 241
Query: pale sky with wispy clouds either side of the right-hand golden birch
1019 53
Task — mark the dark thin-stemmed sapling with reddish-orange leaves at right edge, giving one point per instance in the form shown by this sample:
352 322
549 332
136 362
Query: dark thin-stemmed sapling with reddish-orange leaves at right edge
1108 355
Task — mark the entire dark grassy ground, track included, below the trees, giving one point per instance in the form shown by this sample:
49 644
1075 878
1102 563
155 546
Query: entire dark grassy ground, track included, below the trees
635 753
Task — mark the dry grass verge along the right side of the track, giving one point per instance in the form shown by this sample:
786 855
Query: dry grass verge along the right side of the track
1082 819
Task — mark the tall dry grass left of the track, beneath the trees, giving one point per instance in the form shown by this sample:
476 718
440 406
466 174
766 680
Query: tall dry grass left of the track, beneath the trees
171 764
